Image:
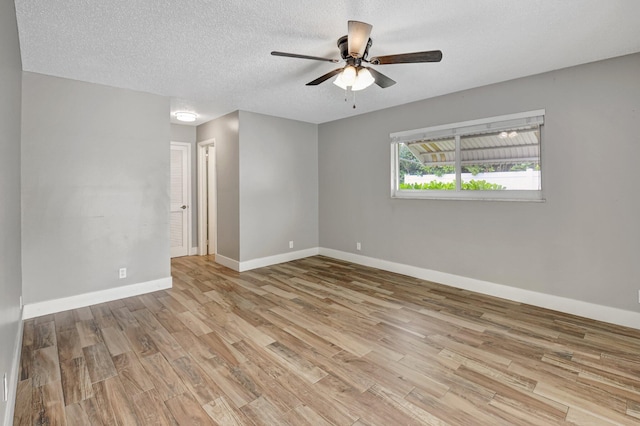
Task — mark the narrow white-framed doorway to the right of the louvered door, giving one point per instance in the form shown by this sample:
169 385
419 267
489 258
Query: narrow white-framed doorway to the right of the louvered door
207 201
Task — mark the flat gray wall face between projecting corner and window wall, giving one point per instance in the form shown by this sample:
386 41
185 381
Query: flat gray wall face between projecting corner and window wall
278 185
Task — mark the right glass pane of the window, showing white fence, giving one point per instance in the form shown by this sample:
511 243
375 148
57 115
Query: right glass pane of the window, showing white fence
506 161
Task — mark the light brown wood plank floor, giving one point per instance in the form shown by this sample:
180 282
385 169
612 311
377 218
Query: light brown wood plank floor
319 341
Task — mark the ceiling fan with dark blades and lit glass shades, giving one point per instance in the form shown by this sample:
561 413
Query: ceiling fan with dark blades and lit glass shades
354 49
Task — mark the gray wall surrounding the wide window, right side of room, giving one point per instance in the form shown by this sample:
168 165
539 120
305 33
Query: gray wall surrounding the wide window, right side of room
582 243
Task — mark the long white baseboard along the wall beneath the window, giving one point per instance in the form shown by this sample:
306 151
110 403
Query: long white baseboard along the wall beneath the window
543 300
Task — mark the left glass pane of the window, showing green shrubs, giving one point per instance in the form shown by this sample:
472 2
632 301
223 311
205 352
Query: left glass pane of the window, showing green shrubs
427 165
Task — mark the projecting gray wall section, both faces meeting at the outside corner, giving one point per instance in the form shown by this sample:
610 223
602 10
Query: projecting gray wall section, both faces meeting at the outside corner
267 182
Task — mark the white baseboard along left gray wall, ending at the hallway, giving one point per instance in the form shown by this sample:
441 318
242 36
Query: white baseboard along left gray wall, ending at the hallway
32 310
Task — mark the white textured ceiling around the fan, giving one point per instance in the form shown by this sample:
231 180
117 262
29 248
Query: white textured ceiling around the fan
213 57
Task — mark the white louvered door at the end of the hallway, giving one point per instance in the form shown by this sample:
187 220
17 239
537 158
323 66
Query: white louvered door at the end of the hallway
180 198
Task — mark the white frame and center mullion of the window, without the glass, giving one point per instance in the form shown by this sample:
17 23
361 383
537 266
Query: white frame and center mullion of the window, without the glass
456 130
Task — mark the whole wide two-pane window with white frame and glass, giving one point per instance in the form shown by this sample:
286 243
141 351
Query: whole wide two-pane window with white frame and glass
493 158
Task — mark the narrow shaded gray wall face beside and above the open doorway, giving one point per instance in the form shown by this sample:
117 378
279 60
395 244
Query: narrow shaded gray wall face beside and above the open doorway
225 132
